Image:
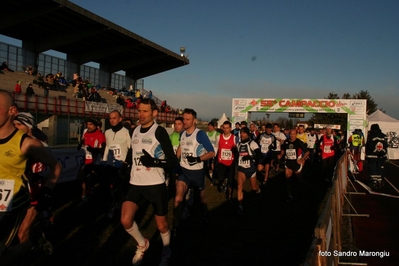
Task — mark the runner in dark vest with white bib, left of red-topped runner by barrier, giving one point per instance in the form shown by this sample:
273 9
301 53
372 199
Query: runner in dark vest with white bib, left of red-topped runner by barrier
293 149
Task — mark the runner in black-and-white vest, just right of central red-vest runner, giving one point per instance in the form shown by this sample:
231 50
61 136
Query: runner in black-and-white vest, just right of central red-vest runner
248 152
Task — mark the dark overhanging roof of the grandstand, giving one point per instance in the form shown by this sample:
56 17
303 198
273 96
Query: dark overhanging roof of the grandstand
66 27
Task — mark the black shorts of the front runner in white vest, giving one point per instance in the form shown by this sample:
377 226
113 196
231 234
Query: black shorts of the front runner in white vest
155 194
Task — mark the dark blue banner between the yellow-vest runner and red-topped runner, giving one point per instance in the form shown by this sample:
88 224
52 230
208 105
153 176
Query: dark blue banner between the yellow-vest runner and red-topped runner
71 161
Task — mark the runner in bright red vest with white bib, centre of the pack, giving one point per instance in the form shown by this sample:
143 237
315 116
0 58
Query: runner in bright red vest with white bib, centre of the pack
226 154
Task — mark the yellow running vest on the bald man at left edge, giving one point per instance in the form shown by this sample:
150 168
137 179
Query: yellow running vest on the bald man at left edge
12 167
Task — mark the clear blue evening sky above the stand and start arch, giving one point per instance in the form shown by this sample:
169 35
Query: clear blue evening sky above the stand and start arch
266 49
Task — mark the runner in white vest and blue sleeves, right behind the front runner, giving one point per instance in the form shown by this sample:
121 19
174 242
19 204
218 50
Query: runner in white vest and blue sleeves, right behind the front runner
195 148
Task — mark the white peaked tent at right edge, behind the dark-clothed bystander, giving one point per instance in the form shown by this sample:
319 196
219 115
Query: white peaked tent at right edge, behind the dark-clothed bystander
390 127
